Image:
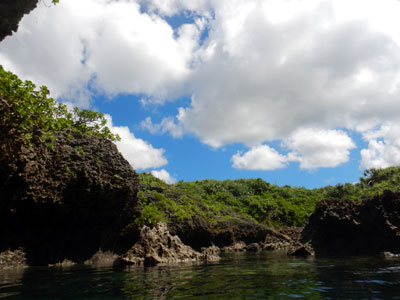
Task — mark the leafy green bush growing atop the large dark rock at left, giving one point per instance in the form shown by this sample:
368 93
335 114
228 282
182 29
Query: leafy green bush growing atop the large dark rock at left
31 112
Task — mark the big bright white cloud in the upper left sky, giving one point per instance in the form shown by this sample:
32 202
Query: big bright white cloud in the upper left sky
110 45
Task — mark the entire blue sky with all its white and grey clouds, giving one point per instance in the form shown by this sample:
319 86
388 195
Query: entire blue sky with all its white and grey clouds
296 92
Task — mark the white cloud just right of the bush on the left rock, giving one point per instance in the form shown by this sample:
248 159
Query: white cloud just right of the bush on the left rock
139 153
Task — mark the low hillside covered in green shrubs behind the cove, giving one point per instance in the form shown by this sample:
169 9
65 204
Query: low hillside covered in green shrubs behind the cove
222 202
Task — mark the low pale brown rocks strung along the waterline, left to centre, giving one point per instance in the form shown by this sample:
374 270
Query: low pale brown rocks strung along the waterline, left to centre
157 246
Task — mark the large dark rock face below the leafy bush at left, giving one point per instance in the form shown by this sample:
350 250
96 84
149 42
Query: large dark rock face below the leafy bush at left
66 201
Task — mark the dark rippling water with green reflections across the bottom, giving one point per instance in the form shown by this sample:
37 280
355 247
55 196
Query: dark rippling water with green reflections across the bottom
268 275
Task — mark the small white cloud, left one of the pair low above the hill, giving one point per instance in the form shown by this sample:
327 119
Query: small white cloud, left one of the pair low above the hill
259 158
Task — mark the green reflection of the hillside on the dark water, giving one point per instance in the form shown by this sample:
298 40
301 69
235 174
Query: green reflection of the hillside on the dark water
241 276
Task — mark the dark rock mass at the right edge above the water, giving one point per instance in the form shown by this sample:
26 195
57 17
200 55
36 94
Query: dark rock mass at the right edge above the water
343 227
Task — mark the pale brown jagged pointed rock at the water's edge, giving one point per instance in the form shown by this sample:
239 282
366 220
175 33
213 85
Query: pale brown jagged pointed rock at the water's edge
158 246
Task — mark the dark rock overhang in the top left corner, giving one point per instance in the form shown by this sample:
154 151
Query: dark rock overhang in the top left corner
11 12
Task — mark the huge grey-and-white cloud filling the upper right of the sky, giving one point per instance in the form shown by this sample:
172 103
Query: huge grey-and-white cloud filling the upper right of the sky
260 78
